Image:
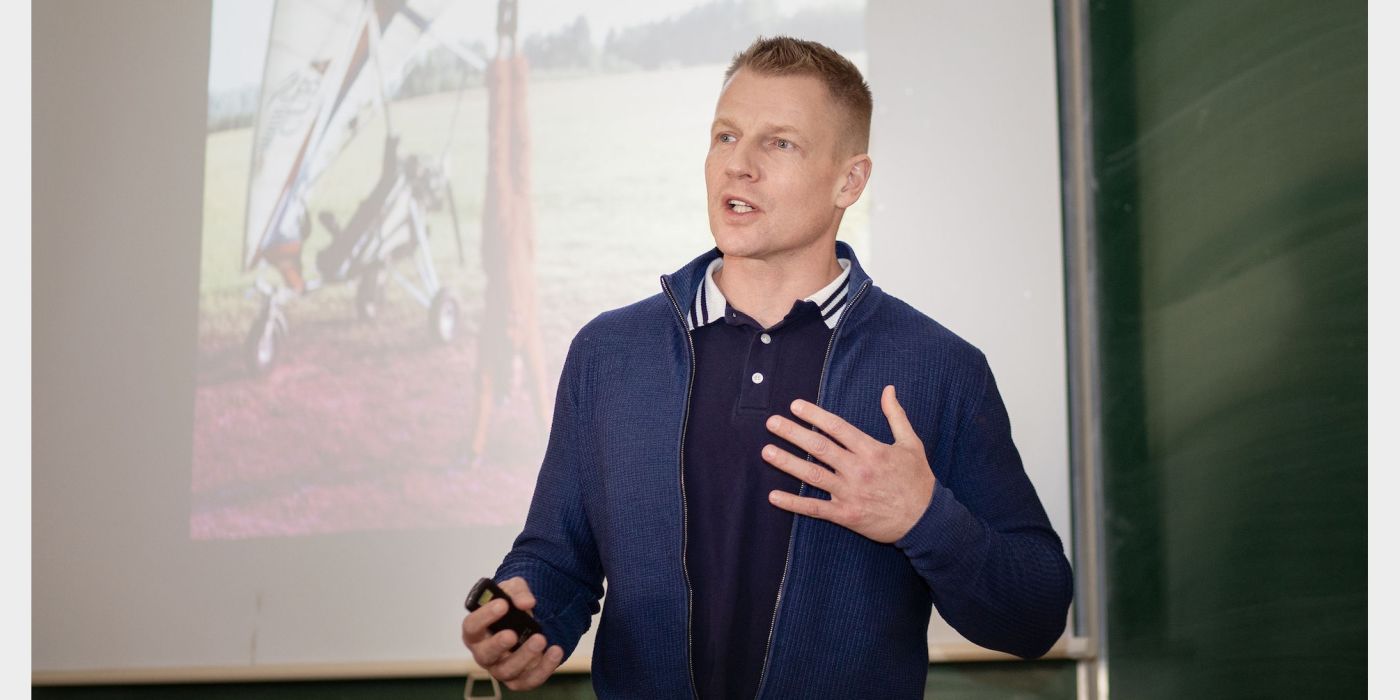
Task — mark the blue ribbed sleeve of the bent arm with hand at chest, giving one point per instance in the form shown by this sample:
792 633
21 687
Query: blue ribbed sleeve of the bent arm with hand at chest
995 566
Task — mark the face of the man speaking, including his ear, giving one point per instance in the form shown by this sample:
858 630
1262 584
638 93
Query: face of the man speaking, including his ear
776 149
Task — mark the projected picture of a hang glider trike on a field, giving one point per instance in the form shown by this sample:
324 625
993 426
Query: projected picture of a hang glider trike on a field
409 211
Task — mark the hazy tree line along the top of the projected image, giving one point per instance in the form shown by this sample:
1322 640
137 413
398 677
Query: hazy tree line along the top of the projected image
706 34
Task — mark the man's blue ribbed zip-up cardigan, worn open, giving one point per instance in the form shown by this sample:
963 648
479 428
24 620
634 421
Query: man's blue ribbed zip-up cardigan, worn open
852 614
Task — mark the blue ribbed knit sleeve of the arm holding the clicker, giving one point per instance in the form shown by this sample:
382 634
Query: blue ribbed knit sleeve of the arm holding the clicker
556 552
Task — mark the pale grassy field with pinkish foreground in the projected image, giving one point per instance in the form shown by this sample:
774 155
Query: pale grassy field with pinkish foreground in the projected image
365 425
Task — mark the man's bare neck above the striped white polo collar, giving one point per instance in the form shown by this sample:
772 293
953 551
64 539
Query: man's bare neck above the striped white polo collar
765 289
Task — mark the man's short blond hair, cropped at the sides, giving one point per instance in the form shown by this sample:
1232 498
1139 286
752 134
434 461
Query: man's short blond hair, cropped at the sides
789 57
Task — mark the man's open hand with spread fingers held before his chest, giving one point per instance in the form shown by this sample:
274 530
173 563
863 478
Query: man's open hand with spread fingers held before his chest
877 491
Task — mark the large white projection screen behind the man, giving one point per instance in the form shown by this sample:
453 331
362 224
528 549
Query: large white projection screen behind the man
306 274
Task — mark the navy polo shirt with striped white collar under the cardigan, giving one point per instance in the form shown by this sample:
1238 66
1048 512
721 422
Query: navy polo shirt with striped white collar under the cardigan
737 542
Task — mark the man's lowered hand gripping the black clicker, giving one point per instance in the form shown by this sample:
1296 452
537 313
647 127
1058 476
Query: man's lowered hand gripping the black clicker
524 668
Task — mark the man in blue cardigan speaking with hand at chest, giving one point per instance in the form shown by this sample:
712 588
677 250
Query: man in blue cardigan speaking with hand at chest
772 519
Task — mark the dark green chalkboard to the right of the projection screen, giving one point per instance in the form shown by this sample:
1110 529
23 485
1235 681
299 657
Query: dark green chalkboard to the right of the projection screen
1231 216
